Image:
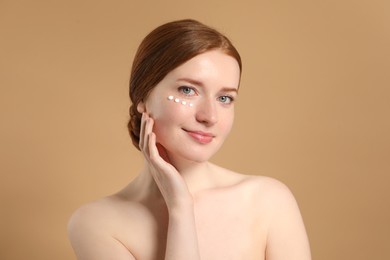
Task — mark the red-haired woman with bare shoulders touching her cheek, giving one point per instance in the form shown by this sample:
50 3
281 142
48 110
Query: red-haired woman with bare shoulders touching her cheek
184 81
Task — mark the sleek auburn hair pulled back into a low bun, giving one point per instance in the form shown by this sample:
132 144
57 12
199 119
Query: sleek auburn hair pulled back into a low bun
164 49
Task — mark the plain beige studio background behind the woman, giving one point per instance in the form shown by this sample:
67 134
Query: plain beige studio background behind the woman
313 112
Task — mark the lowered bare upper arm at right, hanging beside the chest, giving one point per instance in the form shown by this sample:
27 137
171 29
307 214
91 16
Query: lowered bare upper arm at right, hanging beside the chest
287 239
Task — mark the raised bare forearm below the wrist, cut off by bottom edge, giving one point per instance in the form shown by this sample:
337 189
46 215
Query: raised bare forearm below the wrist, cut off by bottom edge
182 239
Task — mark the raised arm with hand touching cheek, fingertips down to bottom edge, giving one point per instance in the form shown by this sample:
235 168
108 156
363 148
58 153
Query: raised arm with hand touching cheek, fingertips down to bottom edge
182 240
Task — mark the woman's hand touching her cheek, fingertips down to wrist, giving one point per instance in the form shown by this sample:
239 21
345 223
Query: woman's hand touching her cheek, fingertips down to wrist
171 184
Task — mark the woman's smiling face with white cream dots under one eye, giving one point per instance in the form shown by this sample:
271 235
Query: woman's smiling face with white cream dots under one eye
193 106
